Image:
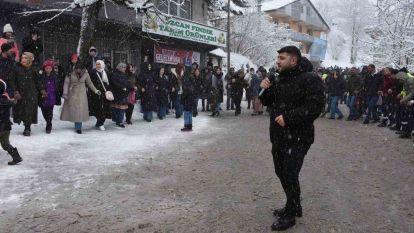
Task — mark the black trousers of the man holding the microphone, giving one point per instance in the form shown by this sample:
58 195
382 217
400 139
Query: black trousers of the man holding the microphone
288 159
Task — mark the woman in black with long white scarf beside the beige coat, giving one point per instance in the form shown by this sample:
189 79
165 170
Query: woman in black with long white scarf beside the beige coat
99 106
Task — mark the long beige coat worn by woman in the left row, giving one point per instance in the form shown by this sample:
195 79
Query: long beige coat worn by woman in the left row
75 107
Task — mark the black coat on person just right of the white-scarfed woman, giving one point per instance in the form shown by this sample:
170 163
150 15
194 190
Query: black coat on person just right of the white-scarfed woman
120 87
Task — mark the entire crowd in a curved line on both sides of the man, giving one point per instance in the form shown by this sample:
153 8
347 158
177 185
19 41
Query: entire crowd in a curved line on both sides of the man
90 88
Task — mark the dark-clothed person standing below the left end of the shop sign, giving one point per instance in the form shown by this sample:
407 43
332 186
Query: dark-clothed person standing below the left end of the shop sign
146 82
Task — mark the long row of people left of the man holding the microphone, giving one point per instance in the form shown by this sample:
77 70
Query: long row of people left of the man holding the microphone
89 88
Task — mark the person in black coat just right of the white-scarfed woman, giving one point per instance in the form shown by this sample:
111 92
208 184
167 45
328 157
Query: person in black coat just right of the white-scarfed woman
121 89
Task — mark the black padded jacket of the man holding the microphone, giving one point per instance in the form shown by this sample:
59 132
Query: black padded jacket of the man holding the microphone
299 97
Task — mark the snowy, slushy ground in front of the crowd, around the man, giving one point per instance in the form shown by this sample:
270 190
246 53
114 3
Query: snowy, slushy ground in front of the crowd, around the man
151 177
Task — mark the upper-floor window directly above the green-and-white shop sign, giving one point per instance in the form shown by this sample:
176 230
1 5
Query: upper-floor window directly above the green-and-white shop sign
182 10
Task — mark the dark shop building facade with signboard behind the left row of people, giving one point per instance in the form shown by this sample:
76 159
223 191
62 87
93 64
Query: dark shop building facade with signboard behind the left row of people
120 37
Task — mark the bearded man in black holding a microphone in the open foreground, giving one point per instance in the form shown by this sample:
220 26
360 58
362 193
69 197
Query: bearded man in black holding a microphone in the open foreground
297 99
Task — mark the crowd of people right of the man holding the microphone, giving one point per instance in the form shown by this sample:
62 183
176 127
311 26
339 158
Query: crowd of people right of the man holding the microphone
385 97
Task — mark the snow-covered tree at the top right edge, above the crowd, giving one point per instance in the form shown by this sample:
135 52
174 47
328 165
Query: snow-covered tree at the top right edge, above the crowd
392 38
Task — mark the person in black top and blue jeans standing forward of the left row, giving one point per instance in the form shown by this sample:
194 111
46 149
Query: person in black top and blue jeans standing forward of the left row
187 98
